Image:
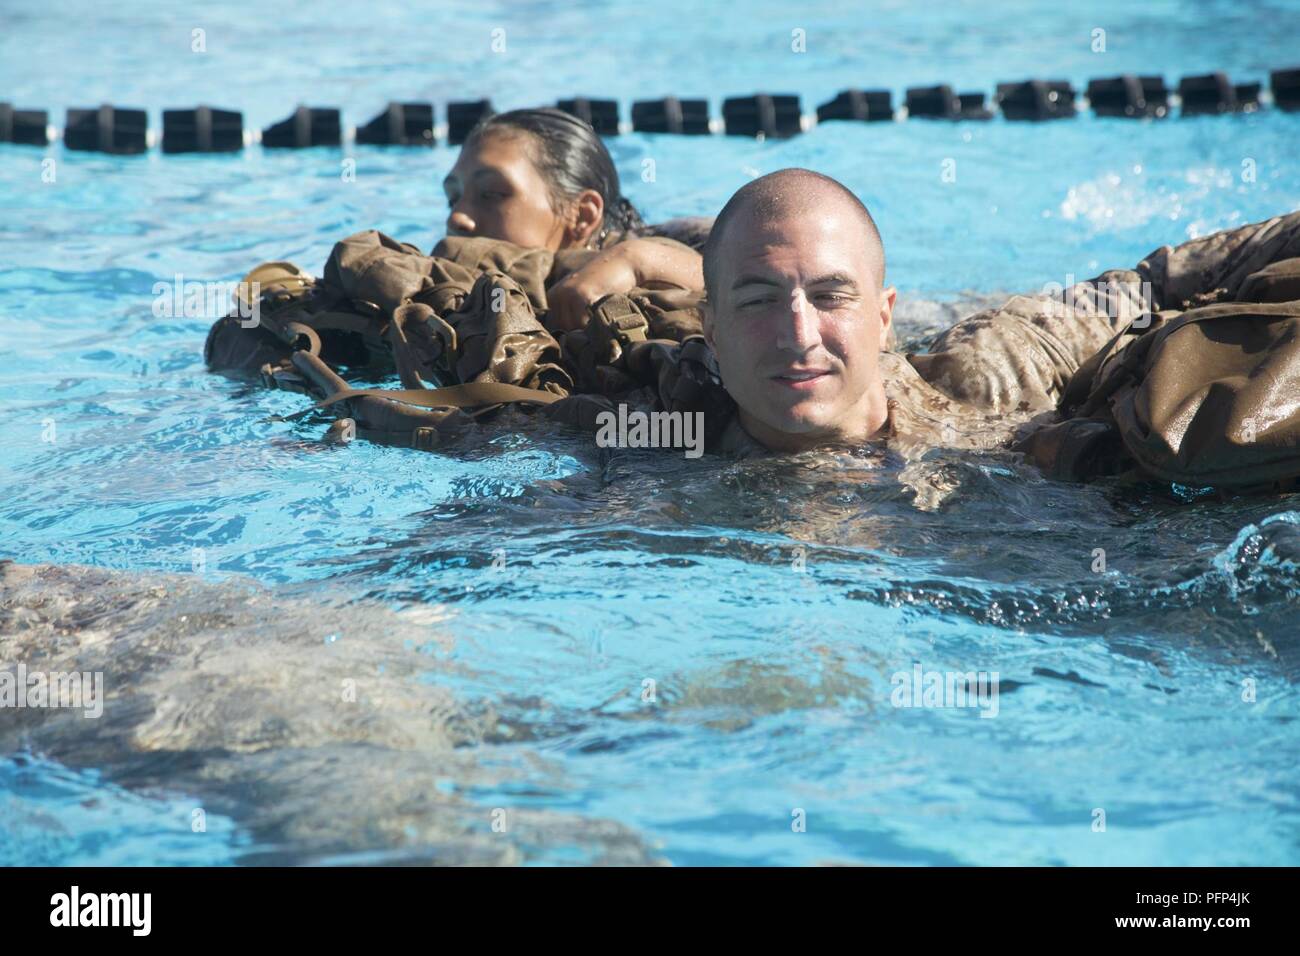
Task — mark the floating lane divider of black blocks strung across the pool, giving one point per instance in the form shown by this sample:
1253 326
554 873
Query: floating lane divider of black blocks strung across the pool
768 116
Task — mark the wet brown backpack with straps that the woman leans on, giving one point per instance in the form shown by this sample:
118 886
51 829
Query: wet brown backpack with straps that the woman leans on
475 332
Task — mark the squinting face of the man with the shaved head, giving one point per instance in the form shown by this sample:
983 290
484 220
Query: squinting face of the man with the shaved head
799 326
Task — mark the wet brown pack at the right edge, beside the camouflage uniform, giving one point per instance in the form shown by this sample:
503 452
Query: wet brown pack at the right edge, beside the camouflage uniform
1210 397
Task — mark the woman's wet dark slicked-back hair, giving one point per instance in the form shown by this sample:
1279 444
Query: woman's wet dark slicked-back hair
571 158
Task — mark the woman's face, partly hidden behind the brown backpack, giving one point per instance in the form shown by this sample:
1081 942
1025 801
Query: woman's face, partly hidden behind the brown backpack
496 192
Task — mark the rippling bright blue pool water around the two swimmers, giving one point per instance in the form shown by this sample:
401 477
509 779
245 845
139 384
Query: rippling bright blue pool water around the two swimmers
501 608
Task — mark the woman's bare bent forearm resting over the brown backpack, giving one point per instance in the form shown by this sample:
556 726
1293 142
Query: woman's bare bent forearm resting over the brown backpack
645 263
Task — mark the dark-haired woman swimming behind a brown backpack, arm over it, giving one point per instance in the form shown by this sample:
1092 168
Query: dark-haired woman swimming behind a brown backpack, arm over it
543 179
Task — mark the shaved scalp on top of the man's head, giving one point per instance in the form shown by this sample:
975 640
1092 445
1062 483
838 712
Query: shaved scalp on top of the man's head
781 194
